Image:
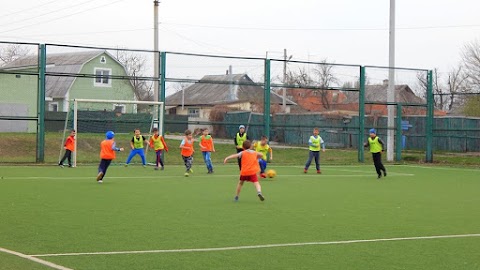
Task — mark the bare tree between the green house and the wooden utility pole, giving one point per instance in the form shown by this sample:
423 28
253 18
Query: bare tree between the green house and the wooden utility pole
135 66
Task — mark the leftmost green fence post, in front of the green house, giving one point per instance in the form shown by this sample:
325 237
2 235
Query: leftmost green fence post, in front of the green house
42 60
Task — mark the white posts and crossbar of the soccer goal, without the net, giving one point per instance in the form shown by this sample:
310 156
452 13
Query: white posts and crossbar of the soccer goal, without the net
156 119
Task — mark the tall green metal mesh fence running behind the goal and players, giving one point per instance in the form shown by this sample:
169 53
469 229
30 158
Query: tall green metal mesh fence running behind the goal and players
273 97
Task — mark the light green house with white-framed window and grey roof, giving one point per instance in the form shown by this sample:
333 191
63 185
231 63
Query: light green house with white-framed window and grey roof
76 75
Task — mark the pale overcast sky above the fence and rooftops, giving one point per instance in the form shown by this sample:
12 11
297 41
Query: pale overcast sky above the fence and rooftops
430 33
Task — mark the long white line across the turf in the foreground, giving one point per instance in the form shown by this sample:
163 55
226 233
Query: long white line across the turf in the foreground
259 246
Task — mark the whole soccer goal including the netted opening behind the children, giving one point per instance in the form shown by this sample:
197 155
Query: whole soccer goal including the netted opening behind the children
91 118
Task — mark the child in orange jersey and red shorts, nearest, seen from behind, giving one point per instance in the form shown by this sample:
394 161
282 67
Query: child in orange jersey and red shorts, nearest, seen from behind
249 169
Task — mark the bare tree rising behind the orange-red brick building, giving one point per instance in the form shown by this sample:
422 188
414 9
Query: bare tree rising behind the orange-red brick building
324 80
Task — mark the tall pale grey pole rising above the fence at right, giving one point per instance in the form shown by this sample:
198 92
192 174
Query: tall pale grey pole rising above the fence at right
391 84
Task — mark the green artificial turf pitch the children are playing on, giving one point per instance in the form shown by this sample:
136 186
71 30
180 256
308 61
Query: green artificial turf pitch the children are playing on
50 210
